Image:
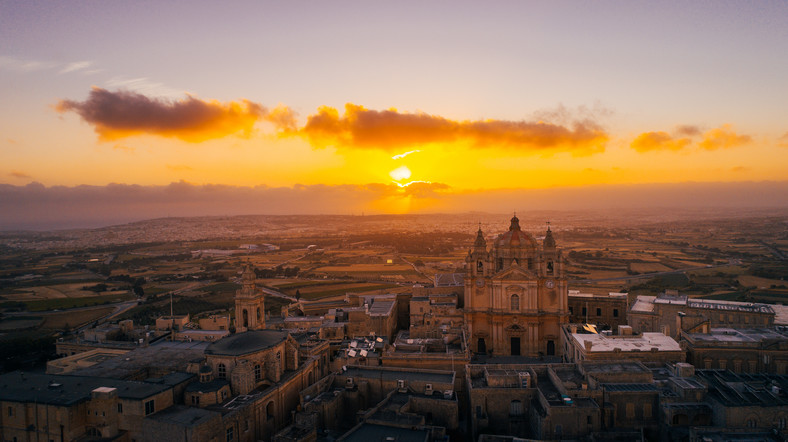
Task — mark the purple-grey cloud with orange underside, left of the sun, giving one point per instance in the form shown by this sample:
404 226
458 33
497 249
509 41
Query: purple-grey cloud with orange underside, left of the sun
120 114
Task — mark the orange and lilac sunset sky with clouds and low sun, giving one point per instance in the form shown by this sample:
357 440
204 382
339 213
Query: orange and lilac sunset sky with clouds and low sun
386 107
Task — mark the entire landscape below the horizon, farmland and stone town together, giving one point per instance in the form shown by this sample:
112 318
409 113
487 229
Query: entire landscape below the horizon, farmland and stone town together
646 325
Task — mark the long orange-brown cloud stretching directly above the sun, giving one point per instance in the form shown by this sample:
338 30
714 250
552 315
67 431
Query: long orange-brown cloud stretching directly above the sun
362 128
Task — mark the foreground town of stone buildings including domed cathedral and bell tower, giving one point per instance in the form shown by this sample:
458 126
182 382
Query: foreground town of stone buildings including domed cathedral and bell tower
505 353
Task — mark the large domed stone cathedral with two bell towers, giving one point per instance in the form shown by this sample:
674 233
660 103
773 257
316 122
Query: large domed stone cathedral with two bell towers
516 294
